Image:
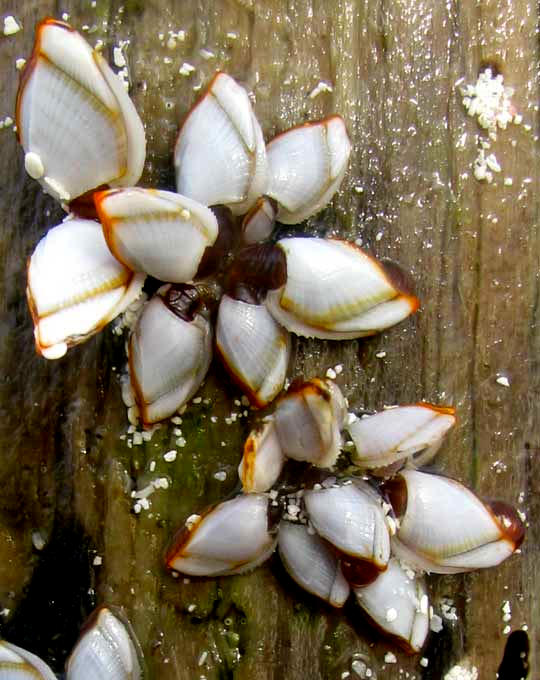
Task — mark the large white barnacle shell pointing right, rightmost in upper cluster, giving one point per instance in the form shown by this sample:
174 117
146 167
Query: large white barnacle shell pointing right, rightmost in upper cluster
335 291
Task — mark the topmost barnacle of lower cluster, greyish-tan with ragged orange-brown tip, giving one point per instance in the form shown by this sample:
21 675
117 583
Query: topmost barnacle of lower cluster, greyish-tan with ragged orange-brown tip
308 421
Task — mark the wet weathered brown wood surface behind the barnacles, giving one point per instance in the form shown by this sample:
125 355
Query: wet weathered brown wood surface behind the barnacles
410 195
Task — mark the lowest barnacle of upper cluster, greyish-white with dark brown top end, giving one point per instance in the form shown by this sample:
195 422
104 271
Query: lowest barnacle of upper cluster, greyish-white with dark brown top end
170 350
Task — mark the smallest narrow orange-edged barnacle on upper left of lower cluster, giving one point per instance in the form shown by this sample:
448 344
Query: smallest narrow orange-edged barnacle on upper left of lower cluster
262 461
